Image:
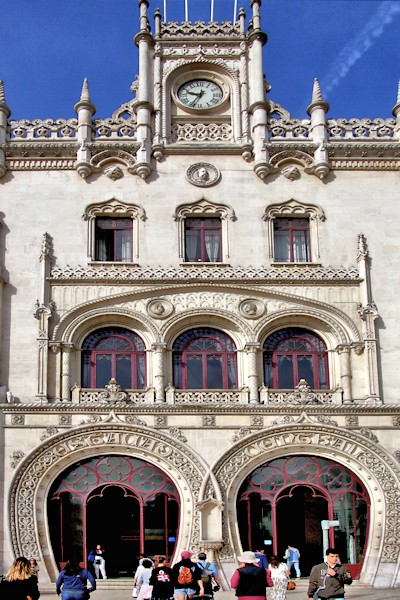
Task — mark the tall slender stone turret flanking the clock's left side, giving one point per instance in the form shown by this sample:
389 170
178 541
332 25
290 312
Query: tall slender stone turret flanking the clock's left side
144 106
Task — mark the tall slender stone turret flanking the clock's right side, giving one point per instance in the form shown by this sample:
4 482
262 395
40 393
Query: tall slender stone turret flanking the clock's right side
259 106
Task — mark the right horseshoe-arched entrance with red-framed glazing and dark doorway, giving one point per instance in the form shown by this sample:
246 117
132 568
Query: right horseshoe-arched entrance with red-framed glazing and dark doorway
284 501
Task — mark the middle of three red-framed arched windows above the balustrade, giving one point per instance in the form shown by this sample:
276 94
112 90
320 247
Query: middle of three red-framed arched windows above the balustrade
204 358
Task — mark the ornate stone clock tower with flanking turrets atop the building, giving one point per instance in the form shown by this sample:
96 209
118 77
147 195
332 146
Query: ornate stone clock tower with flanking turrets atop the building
201 88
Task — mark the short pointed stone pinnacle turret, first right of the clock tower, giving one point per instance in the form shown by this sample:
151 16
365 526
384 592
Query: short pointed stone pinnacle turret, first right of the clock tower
317 111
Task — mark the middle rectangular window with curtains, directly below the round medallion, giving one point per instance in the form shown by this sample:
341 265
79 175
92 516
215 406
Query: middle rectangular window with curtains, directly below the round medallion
203 240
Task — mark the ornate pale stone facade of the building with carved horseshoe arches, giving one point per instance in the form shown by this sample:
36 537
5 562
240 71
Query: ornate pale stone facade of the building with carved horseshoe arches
243 165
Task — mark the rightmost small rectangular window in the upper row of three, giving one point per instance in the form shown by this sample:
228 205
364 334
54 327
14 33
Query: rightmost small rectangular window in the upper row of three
292 240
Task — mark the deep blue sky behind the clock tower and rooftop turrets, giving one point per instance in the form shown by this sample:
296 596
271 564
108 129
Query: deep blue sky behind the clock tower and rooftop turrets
47 47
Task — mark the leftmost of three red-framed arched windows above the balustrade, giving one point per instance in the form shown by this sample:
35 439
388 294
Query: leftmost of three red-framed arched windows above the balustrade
113 353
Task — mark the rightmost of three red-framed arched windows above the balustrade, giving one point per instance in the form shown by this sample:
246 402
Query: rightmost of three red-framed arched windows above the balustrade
292 354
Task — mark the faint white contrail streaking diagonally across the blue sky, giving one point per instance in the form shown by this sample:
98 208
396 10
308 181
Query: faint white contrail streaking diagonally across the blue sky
354 50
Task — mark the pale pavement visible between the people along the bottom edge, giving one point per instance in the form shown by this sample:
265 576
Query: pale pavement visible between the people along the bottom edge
121 590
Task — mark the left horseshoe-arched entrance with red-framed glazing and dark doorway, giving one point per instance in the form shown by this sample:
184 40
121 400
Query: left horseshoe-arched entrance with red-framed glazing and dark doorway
125 504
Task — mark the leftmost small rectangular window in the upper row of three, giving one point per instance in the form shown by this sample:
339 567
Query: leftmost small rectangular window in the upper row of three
114 239
